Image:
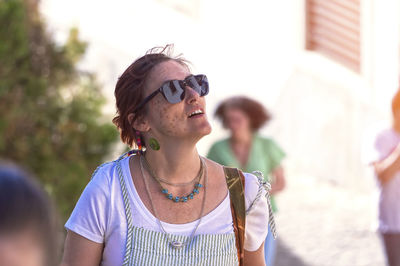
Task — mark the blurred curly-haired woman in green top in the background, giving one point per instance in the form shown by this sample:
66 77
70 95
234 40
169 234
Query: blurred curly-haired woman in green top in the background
247 150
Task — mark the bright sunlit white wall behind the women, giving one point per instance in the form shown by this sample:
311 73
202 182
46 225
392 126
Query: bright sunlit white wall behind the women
321 109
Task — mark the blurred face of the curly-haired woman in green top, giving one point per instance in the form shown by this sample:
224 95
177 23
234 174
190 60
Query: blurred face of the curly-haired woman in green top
236 120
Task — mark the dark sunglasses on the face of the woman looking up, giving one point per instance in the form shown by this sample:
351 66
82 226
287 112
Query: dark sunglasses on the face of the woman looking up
174 90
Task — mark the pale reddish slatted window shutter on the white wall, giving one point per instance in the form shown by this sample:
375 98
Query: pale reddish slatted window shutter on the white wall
333 29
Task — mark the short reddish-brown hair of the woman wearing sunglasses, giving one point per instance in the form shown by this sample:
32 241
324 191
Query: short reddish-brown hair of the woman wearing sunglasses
129 91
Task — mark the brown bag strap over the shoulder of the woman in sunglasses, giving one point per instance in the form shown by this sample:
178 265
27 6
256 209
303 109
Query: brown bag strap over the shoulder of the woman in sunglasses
235 182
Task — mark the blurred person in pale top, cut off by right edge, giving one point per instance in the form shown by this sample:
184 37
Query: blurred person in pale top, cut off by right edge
385 159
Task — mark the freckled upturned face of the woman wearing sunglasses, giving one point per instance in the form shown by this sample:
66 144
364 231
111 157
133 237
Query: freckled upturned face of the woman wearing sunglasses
174 120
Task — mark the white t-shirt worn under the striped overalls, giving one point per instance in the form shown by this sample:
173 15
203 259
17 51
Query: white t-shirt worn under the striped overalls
99 214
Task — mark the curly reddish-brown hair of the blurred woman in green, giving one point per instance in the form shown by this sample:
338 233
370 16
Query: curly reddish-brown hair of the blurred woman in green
256 112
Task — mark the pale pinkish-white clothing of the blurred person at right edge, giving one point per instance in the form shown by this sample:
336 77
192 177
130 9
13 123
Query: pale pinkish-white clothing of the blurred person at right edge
389 196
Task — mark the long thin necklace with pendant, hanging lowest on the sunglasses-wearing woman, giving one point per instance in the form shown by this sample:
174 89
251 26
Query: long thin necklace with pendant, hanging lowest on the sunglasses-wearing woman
175 243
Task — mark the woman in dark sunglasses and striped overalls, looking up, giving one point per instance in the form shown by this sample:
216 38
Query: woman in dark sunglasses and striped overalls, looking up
165 205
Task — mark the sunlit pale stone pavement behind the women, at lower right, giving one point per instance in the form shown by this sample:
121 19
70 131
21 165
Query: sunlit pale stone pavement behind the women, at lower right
322 224
